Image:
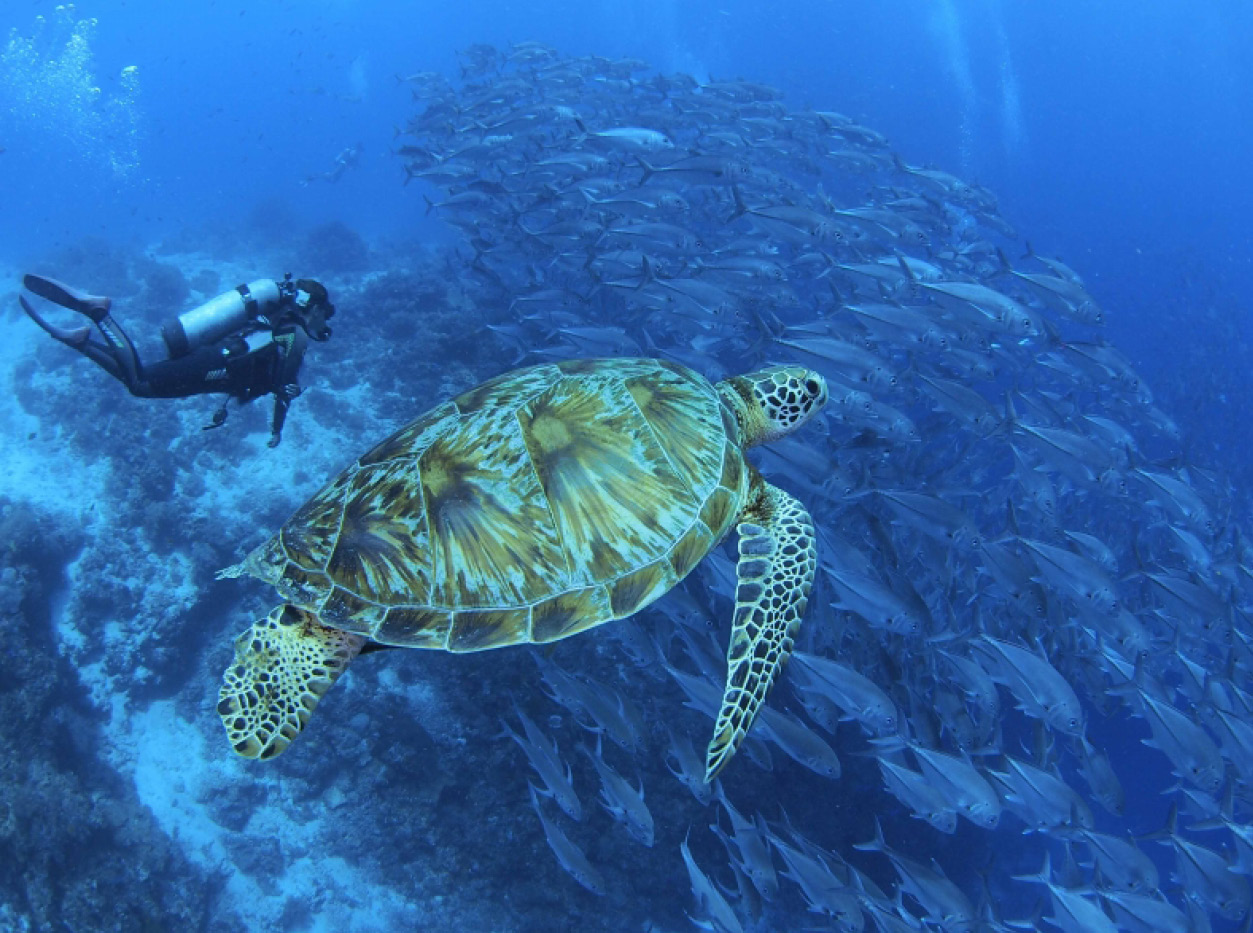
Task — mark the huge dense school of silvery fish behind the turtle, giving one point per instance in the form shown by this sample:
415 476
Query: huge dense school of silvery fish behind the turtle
1021 578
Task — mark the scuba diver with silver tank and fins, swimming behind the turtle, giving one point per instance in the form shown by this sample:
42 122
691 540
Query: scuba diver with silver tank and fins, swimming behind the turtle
247 343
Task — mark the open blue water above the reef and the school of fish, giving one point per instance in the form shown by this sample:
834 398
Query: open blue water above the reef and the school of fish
1117 137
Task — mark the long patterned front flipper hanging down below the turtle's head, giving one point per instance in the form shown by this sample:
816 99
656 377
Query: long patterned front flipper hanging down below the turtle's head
777 562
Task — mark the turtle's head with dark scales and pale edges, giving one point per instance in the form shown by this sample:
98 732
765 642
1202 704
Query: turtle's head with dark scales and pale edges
775 401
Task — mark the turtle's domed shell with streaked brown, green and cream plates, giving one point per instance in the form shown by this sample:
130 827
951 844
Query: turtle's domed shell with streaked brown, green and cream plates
532 508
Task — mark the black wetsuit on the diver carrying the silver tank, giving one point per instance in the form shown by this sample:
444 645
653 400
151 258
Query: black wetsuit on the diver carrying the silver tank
247 365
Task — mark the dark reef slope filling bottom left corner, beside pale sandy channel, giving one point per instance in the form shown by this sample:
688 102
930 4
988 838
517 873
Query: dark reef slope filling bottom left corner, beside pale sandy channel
78 851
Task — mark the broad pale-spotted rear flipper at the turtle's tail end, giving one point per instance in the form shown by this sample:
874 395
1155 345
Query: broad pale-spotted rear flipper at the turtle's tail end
284 666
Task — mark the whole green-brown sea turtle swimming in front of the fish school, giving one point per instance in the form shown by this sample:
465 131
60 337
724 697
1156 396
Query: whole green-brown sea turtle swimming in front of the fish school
527 510
